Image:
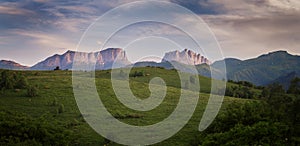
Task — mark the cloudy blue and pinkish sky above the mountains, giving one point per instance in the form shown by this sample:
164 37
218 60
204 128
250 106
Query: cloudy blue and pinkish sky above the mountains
31 31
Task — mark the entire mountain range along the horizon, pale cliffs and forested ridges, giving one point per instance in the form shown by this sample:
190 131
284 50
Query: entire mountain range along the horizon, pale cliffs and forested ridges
279 66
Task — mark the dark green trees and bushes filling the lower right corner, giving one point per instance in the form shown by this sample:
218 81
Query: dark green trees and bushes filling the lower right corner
272 120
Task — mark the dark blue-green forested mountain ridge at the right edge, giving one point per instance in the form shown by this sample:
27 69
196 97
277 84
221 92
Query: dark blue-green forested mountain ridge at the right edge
262 70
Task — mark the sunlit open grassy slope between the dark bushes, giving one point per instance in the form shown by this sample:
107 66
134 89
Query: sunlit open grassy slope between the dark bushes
55 89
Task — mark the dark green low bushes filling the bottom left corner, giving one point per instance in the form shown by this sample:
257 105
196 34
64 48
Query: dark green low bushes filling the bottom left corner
20 129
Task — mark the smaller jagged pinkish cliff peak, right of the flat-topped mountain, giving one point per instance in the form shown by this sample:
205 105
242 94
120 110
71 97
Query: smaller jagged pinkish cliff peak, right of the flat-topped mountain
186 57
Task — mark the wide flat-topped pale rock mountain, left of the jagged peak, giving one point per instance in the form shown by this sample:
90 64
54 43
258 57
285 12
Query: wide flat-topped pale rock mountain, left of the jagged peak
102 60
